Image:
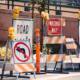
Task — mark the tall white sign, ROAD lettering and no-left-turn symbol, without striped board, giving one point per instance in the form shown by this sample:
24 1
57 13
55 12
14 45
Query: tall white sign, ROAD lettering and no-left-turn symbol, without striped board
22 45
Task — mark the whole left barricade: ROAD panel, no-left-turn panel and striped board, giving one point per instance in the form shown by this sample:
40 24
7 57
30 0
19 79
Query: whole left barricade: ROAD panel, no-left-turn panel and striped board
22 46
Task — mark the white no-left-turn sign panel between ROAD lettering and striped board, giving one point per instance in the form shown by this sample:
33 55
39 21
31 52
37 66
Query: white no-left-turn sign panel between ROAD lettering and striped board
22 52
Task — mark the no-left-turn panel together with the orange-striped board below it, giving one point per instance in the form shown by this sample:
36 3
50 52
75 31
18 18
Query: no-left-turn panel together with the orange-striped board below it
23 60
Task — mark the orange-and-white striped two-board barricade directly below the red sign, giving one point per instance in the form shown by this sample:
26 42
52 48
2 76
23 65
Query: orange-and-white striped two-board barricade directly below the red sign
57 55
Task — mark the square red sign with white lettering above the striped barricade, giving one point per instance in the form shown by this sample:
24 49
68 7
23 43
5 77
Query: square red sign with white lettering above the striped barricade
54 26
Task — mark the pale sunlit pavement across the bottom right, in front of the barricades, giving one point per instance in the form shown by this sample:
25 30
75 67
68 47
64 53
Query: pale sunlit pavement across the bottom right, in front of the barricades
70 76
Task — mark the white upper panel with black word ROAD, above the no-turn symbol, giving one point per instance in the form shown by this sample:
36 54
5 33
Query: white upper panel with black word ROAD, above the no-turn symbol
23 29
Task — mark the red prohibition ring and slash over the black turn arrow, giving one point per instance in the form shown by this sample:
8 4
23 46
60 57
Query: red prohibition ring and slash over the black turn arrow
27 55
